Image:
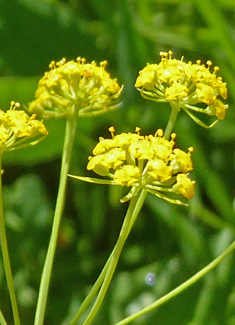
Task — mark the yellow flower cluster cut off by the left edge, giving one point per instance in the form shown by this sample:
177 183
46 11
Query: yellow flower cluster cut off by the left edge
17 127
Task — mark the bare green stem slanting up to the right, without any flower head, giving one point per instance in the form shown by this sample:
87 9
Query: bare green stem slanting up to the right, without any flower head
180 288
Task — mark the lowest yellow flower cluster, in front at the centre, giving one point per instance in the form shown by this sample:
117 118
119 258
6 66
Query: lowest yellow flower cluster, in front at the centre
144 162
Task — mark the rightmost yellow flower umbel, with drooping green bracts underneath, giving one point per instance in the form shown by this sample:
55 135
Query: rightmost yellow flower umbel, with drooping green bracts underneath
191 87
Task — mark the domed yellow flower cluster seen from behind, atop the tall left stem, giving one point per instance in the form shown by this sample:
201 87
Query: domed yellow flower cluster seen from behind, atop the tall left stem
75 84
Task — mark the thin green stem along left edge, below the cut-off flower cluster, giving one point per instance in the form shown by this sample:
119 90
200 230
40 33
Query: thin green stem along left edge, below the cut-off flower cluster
6 258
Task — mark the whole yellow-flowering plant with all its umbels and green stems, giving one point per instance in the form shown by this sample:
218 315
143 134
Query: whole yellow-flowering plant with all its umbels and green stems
142 163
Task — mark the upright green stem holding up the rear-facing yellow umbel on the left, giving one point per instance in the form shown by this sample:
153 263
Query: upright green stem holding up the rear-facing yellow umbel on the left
71 124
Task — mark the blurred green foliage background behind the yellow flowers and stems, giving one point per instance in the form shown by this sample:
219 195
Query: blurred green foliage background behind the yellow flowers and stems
170 243
